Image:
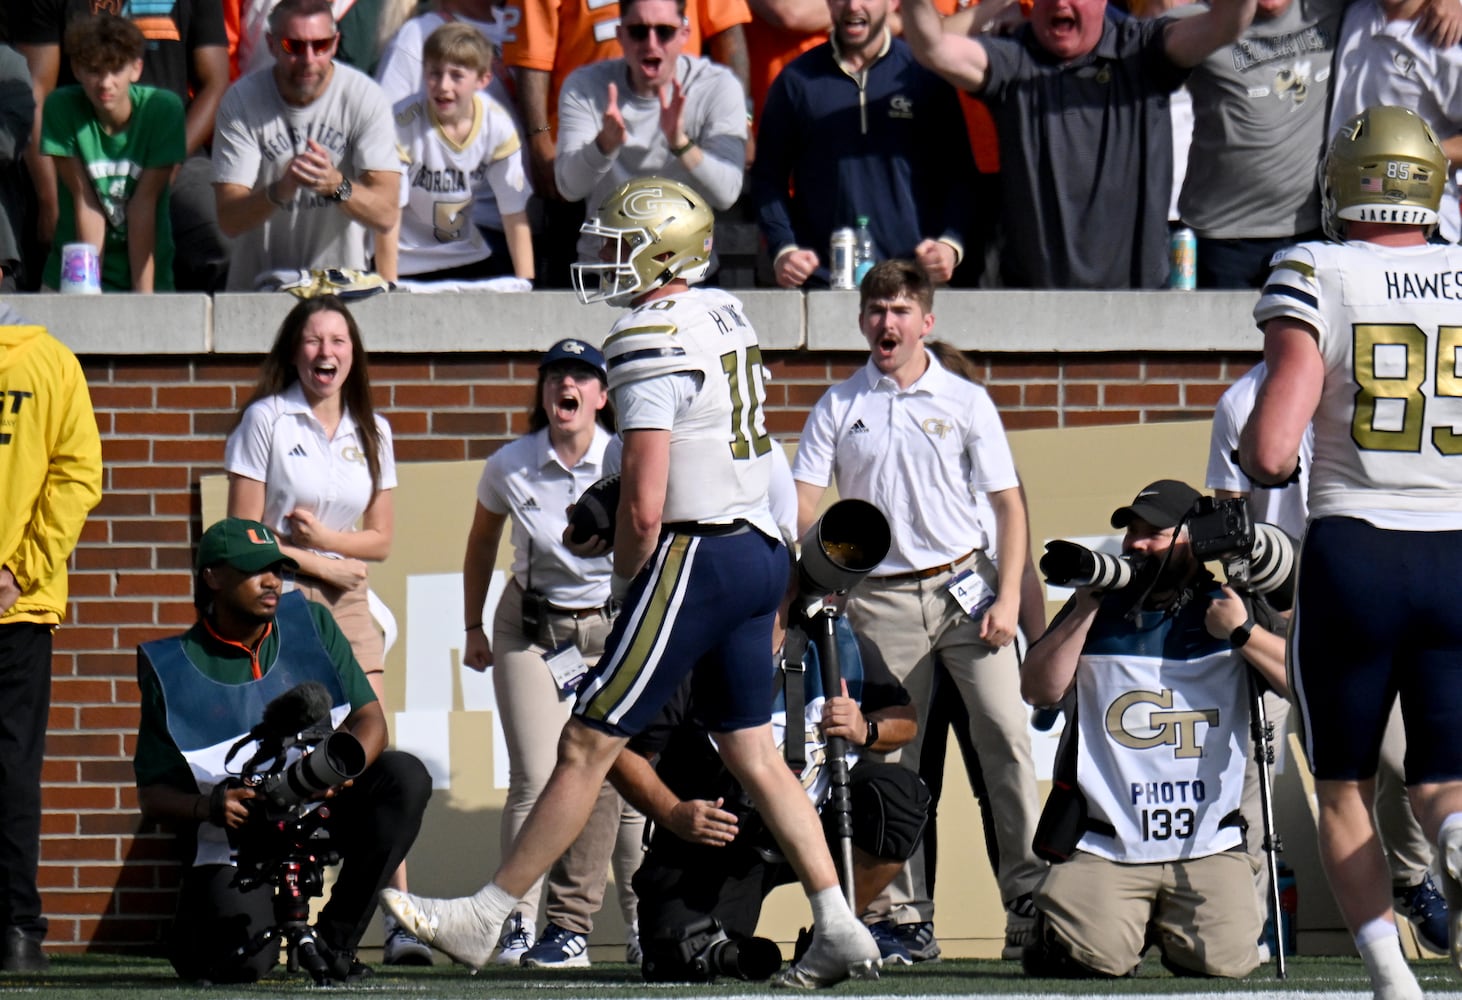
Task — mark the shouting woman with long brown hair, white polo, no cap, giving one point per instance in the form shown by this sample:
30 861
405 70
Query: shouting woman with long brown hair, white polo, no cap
312 460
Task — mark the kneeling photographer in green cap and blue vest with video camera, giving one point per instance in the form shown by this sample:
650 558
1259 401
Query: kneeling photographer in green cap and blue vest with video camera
207 695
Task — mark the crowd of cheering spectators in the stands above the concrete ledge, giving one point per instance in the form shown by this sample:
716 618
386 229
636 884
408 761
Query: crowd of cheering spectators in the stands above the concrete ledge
1046 144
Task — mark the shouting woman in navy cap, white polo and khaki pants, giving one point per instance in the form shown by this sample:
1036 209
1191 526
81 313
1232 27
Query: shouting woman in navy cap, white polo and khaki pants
555 603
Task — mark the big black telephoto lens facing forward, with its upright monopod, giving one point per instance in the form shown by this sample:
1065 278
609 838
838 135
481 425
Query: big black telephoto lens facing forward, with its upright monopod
837 552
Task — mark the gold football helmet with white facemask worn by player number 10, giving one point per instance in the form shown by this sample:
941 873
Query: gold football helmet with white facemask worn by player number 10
654 230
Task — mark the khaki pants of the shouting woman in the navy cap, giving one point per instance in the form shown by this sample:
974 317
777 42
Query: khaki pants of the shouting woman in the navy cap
533 717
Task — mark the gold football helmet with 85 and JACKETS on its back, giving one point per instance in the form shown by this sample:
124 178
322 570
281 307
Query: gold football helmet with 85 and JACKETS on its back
1384 166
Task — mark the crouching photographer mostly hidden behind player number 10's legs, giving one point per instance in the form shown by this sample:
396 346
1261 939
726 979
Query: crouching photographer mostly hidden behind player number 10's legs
713 860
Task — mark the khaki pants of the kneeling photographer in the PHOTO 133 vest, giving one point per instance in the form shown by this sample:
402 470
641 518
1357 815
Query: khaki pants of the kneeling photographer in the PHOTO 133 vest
1204 913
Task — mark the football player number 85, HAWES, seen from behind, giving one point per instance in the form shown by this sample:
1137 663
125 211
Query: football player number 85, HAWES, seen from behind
1363 337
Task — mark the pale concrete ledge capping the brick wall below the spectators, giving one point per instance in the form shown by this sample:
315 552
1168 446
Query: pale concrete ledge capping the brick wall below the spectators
1021 322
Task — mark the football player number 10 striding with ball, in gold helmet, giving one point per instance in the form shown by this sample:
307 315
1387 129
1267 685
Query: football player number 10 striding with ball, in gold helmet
698 564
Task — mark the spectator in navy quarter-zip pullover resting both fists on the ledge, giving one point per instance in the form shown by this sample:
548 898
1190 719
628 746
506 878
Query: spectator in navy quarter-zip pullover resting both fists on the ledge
857 129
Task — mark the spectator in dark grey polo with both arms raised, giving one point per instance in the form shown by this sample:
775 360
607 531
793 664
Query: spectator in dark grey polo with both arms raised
1081 107
